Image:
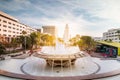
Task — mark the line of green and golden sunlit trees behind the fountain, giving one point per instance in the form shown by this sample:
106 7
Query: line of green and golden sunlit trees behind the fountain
37 39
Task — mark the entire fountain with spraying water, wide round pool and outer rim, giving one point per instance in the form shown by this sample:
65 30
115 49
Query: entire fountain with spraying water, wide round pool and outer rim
60 62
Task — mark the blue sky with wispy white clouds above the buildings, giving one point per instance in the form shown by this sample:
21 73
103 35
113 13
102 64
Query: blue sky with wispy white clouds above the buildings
84 17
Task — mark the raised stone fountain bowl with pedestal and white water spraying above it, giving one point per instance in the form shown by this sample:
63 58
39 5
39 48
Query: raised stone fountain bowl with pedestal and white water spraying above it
60 56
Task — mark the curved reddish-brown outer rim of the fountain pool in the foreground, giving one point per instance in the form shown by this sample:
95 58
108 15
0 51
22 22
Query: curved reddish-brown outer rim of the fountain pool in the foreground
91 76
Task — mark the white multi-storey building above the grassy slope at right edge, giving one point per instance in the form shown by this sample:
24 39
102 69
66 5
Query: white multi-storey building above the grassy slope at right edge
112 34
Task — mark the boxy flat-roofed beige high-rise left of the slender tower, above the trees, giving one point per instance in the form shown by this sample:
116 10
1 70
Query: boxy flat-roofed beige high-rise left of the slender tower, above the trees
49 30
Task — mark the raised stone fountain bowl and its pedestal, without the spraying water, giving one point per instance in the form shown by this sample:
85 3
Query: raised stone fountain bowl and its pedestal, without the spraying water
63 60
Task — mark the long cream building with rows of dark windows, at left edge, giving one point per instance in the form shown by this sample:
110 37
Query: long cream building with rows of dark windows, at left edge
11 27
